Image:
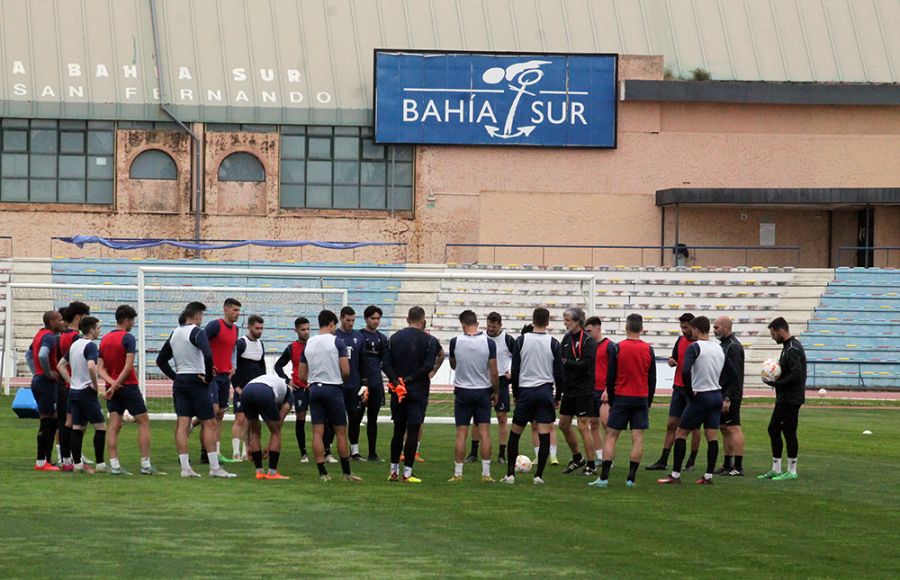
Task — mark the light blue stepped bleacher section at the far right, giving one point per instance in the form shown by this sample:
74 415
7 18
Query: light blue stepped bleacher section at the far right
853 339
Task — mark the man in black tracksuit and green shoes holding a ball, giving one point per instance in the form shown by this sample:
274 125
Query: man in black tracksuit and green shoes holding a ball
790 394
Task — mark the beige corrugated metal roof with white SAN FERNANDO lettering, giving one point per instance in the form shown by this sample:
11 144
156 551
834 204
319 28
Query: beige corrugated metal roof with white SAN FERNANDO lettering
310 61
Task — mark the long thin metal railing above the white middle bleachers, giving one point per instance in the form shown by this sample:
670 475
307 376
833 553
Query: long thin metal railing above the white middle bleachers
675 251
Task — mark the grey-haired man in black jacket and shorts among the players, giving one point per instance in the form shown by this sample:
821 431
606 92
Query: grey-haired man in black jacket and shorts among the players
579 353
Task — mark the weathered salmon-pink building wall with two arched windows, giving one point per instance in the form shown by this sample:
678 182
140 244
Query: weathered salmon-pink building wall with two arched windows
523 195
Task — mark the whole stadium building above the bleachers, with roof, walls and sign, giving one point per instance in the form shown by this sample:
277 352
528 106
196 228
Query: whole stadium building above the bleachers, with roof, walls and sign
261 124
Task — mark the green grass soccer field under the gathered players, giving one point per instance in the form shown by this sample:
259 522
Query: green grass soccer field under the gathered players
840 519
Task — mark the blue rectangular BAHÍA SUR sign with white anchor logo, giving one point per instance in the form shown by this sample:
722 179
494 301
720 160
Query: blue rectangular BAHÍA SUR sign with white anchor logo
465 98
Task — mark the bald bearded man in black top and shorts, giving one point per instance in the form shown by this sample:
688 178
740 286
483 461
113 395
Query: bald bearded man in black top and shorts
732 393
